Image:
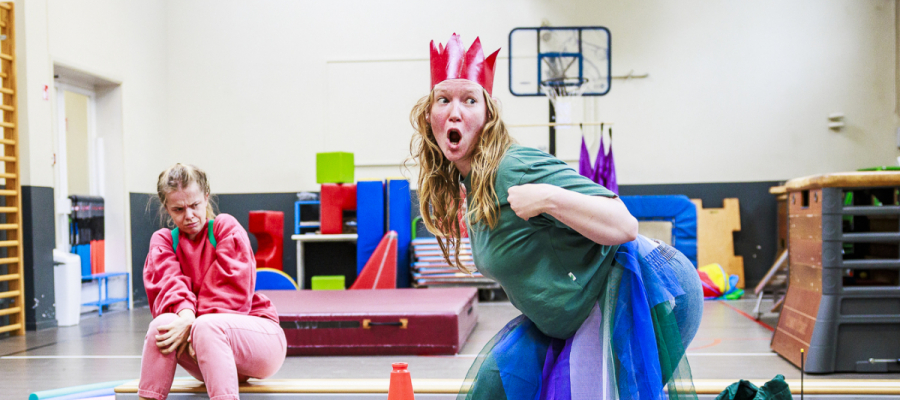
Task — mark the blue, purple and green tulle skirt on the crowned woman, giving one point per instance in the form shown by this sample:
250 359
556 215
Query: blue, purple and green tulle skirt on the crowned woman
629 347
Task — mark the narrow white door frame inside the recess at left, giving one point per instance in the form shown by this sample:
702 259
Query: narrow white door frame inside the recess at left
62 204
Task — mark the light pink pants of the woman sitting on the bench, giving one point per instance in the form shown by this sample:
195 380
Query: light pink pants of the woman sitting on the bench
230 349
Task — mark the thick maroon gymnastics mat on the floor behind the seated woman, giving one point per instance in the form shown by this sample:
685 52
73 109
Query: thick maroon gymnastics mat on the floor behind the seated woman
376 322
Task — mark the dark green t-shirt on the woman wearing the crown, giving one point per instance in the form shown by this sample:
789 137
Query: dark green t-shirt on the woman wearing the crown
550 272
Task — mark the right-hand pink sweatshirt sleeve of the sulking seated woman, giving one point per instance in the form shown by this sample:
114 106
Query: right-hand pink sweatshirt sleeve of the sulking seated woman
228 284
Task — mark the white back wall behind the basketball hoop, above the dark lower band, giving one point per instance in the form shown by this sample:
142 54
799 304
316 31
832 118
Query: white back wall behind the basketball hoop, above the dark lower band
737 91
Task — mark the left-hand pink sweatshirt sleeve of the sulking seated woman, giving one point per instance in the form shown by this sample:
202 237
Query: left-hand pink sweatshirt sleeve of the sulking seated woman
168 289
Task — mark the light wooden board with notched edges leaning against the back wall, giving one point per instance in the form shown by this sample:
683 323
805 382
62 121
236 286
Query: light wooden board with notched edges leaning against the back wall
715 243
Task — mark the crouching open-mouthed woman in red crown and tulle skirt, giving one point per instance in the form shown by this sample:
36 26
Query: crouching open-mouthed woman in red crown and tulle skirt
606 313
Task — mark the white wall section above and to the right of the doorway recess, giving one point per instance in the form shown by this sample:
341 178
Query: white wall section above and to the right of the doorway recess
121 41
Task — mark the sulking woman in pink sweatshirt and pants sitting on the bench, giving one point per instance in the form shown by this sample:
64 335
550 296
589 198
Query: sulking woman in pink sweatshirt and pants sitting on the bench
200 279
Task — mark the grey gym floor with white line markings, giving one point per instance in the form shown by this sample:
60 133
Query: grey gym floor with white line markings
730 345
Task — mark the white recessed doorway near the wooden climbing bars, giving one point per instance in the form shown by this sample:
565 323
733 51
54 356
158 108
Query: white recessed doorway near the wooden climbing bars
89 160
